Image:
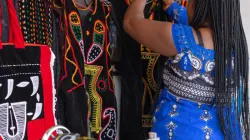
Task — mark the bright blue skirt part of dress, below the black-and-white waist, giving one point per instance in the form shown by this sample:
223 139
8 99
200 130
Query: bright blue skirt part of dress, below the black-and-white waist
185 120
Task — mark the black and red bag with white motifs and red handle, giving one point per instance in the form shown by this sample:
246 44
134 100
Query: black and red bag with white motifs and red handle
27 94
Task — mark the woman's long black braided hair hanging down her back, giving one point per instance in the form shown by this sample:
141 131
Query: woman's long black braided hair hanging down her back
231 60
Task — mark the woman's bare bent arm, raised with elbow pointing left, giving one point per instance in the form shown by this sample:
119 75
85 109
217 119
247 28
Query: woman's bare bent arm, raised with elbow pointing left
156 35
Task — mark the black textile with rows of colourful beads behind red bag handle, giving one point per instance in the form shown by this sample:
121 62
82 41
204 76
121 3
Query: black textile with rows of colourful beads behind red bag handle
35 18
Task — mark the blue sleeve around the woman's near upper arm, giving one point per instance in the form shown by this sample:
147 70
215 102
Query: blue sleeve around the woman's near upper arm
182 37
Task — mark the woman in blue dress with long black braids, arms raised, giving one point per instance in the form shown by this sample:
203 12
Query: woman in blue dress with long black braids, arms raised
206 73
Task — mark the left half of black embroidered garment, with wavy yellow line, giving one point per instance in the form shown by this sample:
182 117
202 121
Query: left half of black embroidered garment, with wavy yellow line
71 89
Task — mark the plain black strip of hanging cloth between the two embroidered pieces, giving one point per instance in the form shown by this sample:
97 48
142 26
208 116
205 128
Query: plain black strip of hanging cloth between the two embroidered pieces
129 68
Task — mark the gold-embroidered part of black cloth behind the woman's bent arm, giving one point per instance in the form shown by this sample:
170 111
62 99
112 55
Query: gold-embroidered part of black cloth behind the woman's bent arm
150 73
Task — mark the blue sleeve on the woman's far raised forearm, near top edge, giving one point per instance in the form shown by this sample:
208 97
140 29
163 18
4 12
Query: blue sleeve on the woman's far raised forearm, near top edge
178 13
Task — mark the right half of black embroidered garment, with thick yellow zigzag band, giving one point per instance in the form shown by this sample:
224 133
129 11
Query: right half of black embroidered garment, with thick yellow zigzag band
98 78
